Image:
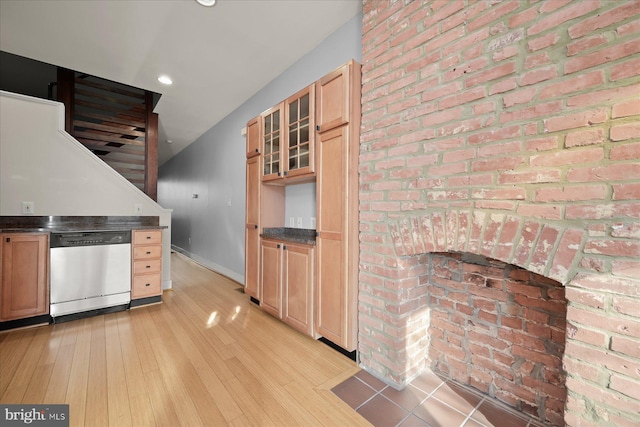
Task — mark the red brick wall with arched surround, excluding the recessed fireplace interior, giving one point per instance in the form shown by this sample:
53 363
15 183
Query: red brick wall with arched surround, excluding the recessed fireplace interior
509 129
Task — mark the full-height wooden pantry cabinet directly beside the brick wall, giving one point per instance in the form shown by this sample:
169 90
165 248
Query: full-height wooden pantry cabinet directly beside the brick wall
338 126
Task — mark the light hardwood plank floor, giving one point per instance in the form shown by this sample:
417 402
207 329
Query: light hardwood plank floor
205 356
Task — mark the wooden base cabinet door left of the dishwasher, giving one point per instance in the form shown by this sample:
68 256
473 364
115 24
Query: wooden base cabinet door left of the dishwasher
24 286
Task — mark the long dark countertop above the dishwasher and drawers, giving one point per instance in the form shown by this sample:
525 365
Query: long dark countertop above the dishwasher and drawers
62 224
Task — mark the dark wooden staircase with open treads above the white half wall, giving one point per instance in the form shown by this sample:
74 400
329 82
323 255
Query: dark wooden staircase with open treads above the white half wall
116 122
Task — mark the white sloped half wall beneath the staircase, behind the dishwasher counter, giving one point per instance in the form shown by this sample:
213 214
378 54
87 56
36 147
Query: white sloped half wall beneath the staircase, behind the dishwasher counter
43 164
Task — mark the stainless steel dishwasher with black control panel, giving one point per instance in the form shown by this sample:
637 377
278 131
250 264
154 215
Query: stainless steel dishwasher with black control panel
89 271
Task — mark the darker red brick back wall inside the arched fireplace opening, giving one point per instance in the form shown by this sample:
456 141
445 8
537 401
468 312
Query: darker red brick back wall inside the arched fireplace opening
500 329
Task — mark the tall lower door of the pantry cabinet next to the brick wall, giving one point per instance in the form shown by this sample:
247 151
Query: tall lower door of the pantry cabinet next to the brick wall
331 285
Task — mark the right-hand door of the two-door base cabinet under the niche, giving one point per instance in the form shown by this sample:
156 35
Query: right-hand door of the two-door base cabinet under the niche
298 287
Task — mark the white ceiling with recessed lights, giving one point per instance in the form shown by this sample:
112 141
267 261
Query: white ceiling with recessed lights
218 57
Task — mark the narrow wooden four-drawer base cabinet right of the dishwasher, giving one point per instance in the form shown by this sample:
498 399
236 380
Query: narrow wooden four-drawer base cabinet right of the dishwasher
146 250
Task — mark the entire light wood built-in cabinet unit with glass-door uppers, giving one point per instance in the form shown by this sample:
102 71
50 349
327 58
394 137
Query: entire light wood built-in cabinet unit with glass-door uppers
311 136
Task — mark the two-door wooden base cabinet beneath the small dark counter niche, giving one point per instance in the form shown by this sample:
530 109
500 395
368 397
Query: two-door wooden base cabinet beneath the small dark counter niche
287 281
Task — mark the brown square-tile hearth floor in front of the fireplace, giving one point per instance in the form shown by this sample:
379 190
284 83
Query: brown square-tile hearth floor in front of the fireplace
428 401
